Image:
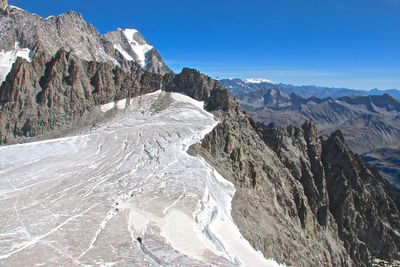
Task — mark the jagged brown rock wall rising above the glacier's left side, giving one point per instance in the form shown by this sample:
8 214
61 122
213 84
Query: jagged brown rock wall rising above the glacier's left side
44 99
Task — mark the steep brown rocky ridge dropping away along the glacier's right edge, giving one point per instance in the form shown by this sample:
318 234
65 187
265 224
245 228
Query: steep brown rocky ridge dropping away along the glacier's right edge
299 199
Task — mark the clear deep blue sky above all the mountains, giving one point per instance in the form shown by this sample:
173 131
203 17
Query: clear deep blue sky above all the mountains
354 44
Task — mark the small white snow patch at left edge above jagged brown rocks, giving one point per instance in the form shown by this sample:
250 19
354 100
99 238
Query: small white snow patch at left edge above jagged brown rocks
8 58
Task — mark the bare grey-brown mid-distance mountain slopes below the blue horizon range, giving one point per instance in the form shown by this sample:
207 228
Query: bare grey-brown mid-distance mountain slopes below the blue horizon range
367 122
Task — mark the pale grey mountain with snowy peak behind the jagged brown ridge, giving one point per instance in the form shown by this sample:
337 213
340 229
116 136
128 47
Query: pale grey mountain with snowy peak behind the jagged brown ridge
45 36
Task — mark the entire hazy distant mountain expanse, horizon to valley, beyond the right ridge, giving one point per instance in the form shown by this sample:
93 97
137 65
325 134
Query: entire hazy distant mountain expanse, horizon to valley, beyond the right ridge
370 124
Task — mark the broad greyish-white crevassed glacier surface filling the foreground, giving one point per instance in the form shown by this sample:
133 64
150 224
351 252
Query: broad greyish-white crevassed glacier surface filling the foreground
125 193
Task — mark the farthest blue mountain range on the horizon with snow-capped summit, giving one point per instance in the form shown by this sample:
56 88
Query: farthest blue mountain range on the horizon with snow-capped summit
250 85
